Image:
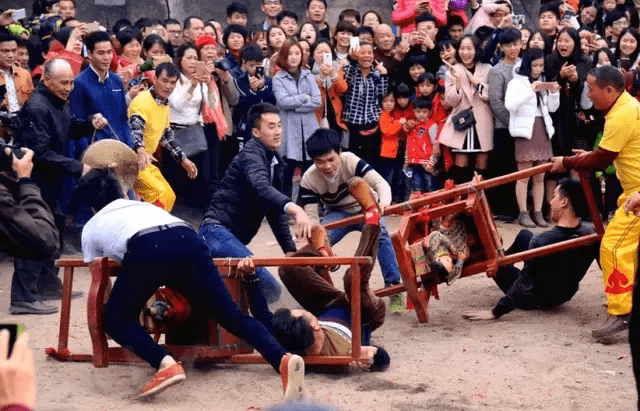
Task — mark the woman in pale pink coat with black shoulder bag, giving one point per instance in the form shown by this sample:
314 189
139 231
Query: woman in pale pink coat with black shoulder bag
466 92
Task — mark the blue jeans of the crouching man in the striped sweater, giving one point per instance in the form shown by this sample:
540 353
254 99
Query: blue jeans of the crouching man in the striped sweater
386 255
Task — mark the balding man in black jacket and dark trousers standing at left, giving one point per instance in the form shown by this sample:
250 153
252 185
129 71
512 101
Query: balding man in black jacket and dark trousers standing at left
46 125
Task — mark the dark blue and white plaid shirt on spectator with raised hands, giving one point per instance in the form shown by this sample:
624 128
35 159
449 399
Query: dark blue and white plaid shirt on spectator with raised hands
363 101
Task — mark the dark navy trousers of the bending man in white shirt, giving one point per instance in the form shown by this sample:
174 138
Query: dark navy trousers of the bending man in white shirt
176 258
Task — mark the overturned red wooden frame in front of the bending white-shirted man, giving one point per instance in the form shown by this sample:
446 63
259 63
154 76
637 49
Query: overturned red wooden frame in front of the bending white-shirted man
229 349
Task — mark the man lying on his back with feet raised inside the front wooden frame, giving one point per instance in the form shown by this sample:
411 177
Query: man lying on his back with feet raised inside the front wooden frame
323 326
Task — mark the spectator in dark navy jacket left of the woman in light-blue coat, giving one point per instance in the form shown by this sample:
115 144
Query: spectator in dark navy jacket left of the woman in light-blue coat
253 88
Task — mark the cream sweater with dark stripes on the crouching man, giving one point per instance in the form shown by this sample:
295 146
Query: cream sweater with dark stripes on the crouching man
334 193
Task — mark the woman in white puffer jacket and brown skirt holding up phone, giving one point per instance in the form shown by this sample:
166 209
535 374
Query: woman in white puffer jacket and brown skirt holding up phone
529 100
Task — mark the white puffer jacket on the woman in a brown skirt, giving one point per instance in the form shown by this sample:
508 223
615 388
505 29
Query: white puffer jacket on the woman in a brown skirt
522 103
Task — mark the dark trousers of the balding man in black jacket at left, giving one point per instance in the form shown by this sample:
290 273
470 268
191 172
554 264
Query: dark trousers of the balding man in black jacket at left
33 278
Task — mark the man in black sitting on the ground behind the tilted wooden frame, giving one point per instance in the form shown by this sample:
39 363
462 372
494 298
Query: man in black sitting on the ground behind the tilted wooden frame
546 282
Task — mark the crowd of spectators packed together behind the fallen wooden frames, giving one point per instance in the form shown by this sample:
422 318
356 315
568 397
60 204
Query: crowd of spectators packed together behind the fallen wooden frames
442 91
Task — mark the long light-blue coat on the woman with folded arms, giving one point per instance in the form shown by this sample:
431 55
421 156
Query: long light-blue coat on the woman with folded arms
296 113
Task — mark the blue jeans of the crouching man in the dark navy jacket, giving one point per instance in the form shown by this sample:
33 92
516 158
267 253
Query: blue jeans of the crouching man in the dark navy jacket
222 243
